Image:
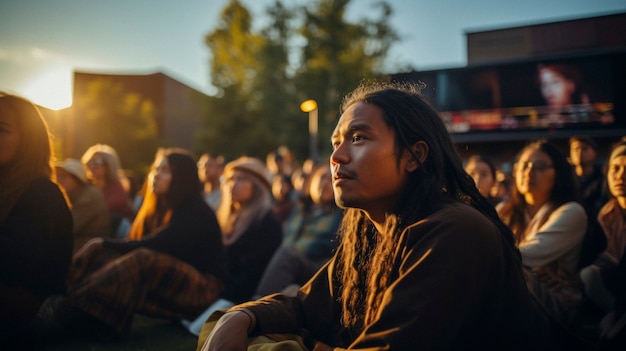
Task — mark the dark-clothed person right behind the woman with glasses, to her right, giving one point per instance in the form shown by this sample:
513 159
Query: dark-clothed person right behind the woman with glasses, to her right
583 154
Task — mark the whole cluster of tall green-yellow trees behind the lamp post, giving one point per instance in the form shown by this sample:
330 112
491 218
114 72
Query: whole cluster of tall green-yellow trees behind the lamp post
310 52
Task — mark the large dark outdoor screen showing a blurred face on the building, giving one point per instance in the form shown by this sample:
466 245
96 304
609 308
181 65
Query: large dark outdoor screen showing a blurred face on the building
566 93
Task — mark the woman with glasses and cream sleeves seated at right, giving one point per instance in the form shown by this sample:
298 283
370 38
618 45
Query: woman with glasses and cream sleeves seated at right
549 225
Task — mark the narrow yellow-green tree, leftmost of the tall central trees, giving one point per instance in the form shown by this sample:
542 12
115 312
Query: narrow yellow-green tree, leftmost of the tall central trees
234 127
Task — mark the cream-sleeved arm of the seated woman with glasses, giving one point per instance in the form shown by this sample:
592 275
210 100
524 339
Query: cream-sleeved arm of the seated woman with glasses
563 230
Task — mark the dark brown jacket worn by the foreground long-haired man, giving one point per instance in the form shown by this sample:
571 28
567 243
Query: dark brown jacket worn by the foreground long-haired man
456 286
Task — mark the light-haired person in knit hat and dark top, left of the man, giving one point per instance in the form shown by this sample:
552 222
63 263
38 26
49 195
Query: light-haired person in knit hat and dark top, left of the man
251 232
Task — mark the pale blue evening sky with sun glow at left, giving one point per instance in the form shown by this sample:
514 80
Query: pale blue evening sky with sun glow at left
42 42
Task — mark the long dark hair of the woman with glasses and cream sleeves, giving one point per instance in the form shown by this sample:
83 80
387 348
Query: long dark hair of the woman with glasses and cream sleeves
564 190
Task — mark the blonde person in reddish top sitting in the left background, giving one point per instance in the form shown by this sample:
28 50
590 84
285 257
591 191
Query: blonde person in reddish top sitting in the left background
104 171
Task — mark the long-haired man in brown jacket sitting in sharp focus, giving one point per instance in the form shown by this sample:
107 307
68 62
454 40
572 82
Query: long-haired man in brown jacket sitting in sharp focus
424 262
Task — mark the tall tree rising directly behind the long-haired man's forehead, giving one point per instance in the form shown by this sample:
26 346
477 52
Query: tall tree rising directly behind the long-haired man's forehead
338 55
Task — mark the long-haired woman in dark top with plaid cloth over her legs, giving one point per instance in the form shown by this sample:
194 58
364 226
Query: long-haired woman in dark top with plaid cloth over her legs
172 266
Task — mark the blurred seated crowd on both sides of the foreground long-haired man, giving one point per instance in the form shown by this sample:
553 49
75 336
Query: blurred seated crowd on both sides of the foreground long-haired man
272 225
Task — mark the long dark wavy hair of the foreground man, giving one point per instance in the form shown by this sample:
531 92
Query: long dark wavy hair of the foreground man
440 178
